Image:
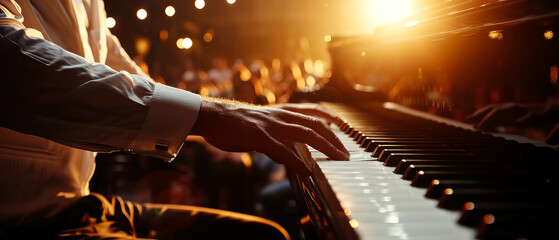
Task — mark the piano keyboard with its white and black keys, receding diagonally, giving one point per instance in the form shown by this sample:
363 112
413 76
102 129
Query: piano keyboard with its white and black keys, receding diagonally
408 178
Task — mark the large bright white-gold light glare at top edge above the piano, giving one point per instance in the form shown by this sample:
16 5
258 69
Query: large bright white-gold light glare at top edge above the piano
390 11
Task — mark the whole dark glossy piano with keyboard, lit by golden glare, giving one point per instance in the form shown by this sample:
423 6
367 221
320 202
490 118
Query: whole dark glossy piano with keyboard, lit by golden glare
418 169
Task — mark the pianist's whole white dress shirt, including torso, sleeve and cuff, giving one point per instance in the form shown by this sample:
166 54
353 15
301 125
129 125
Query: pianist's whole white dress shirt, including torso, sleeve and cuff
69 90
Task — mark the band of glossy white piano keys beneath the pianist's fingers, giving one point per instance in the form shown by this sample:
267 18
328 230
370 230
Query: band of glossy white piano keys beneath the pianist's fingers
382 204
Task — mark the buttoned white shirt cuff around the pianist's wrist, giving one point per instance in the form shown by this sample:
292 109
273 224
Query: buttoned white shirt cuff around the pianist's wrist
171 116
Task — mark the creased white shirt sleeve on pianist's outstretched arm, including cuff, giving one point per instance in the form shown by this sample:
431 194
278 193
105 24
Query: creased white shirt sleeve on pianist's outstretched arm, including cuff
52 93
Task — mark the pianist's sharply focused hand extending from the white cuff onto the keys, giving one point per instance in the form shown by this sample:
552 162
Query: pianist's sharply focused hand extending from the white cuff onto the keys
238 127
